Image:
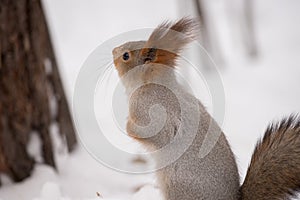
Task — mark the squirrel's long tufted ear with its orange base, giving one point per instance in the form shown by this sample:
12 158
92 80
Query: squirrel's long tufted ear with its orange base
168 39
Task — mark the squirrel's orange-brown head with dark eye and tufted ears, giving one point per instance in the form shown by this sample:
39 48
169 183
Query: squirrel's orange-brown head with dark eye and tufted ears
163 47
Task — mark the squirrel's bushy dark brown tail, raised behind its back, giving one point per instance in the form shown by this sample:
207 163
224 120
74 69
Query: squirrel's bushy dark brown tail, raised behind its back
274 171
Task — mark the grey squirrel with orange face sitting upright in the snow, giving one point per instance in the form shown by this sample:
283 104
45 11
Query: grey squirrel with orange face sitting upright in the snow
274 170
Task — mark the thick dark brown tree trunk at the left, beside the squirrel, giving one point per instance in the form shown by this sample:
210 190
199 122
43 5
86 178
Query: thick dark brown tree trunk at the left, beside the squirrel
29 83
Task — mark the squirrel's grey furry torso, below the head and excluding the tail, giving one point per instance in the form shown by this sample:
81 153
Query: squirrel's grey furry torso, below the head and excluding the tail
189 177
